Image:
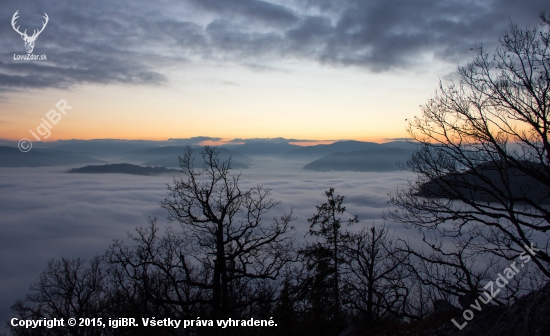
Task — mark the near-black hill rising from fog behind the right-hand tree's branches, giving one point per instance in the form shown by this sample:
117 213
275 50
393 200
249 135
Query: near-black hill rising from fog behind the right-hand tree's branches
489 182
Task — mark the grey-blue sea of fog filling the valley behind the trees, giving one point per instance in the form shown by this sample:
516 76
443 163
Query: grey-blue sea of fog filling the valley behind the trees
47 213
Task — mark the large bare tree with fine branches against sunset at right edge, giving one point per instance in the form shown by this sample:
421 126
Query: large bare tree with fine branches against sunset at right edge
484 162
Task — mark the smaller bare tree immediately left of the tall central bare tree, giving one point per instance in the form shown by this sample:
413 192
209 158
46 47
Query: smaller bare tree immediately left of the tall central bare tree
154 276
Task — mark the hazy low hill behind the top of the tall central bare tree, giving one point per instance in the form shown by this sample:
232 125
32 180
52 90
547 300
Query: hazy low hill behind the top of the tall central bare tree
158 157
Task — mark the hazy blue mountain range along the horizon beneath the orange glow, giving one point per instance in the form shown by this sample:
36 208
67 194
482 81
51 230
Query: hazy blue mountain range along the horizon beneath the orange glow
166 152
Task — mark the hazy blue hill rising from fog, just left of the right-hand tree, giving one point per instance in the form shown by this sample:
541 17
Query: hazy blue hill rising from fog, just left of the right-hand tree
374 160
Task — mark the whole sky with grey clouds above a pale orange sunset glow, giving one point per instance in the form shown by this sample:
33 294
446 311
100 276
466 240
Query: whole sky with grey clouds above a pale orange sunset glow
301 69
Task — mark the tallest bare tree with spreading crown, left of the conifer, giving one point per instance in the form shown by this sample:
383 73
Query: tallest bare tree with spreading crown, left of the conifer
228 237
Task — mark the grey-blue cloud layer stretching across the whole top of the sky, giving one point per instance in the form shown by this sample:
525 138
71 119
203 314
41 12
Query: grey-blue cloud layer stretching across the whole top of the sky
127 42
